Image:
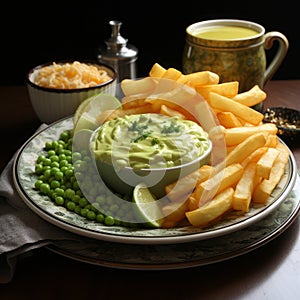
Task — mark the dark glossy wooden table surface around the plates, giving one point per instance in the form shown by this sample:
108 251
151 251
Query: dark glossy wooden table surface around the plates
271 271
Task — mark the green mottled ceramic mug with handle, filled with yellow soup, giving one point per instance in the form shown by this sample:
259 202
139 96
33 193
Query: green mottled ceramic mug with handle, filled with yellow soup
234 49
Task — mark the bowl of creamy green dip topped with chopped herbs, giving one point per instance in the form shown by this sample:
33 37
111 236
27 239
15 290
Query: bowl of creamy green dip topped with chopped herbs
151 148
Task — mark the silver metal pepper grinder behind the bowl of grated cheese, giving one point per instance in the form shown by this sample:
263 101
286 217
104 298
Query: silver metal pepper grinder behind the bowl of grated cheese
118 54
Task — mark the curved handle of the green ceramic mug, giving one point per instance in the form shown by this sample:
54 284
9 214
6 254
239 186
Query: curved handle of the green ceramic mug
270 37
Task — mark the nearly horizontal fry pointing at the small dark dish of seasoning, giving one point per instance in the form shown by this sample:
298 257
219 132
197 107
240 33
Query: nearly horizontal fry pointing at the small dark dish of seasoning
236 135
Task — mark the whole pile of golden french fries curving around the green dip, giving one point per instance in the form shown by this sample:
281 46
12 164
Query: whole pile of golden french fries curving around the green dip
248 160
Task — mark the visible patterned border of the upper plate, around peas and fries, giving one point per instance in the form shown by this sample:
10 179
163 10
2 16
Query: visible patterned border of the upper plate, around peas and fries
24 179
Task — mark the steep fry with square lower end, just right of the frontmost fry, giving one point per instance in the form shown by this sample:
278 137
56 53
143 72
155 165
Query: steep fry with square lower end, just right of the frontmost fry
243 191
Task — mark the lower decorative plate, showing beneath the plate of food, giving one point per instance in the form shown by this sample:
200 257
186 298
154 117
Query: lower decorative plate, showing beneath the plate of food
185 255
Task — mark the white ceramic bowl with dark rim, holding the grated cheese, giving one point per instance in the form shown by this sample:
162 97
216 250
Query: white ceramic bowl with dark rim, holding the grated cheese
52 104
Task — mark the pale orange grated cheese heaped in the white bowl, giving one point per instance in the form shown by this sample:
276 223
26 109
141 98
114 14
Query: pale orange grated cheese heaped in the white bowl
71 76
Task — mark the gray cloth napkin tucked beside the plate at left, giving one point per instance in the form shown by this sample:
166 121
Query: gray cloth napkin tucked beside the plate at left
21 230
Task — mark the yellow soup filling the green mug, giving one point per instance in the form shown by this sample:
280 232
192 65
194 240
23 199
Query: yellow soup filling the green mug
226 33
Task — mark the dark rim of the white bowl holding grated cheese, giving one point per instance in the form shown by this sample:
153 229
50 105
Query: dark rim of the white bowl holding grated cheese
77 90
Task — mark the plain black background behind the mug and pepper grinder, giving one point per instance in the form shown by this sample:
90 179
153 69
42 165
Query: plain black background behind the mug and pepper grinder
32 34
